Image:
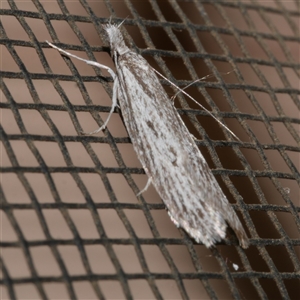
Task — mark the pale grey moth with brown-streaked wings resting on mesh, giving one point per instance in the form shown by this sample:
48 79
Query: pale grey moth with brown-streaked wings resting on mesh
165 148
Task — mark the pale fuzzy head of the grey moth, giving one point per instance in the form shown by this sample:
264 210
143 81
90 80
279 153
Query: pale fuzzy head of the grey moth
115 38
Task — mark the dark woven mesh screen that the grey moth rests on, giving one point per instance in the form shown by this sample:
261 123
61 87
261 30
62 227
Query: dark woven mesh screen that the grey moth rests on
71 225
